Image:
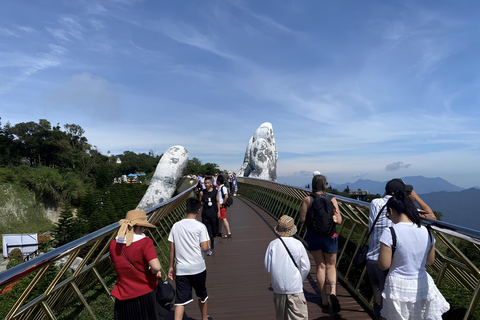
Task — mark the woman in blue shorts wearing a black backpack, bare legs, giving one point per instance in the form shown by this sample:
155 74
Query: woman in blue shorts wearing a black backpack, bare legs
323 247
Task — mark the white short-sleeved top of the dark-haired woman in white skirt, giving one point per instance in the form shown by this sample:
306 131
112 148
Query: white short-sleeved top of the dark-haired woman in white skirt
413 244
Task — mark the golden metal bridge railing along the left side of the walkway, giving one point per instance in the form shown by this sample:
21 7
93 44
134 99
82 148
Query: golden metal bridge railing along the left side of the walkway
94 265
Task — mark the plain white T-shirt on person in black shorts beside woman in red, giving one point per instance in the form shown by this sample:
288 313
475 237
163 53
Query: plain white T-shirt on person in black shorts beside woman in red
187 234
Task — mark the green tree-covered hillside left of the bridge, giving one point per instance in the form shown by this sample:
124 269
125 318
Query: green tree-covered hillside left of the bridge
45 167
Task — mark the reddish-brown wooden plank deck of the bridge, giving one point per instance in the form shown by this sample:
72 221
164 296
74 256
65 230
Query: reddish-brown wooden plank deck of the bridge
238 285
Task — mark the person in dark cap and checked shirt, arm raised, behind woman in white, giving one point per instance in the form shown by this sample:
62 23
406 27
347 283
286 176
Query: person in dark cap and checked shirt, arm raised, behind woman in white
378 206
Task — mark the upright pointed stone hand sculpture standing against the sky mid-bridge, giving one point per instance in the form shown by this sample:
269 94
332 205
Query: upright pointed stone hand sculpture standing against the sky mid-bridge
261 155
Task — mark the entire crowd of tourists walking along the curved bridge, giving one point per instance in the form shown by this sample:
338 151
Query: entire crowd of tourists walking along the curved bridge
399 247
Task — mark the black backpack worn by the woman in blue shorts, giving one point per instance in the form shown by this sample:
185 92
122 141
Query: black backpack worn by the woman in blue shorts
320 215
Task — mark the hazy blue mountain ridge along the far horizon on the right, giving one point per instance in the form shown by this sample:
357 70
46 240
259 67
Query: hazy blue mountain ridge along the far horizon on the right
420 184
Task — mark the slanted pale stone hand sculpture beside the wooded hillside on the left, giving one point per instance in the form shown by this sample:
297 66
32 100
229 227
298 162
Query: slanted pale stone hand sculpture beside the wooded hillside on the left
168 173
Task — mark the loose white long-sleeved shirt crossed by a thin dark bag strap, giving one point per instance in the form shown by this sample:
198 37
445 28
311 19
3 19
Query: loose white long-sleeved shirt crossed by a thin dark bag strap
285 277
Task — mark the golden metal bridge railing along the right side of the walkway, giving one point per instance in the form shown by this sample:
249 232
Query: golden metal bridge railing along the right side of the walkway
279 199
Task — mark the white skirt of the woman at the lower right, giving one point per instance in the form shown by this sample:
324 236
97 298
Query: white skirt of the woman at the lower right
412 299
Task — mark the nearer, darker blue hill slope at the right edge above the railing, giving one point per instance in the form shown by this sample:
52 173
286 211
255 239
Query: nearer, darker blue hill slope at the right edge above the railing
462 208
